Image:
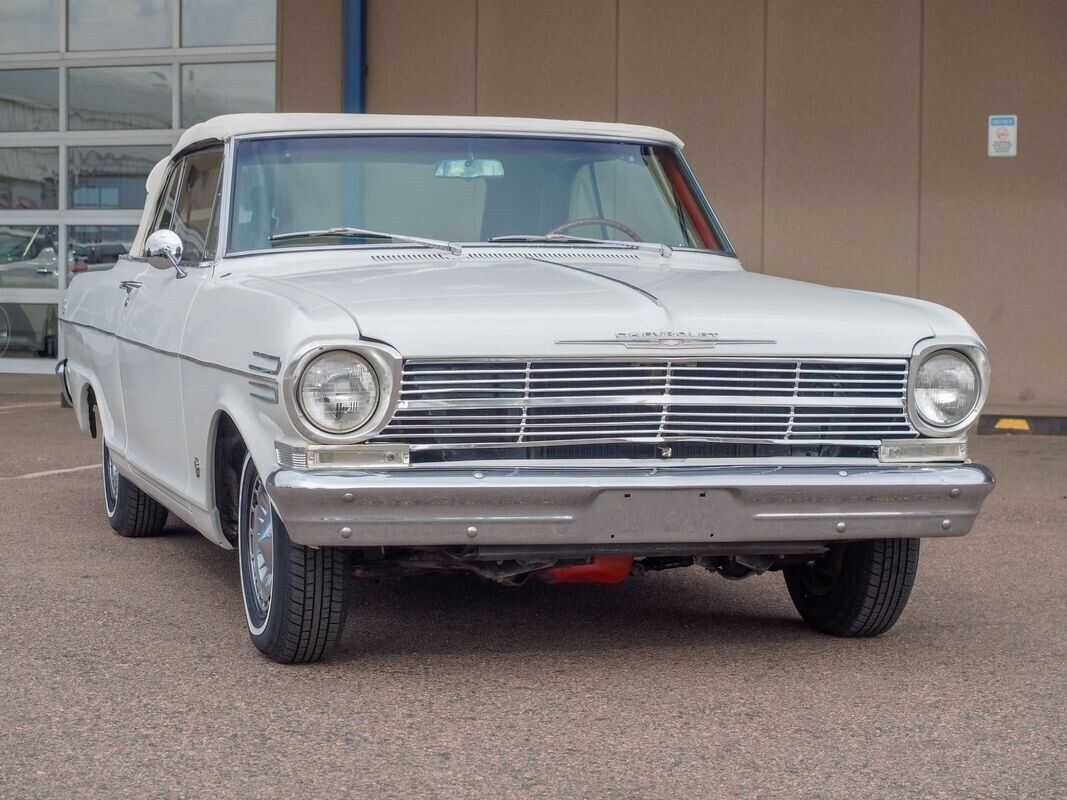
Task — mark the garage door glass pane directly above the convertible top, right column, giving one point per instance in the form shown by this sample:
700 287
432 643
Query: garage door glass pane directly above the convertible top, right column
209 90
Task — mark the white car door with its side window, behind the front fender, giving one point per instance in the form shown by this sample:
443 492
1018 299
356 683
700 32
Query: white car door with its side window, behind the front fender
153 322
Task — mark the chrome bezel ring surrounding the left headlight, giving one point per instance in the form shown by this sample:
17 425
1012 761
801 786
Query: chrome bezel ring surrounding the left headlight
387 365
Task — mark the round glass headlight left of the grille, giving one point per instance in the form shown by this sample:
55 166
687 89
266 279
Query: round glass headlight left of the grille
339 392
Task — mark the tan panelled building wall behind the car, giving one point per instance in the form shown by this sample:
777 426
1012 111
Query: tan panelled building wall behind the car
841 141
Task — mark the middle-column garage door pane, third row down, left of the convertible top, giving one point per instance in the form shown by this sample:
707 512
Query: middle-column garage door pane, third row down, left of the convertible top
112 178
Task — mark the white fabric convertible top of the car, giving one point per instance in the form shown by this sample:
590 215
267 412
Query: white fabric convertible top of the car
228 126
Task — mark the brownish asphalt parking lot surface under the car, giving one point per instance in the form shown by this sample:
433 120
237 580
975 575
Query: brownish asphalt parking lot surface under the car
126 670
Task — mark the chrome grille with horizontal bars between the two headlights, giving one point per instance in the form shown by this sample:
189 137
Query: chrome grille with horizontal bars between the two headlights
479 405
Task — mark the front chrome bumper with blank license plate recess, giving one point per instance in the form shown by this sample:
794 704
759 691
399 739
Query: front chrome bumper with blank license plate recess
618 506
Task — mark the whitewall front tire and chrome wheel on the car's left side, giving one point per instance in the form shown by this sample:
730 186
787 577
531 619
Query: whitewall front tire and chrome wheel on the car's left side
302 616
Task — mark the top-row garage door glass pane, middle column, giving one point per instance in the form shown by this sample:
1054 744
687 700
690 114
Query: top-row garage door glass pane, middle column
119 25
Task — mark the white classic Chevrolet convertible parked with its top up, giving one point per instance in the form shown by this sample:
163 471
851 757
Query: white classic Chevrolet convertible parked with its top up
378 346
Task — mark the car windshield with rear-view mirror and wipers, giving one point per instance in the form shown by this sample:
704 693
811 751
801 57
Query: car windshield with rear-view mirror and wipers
463 189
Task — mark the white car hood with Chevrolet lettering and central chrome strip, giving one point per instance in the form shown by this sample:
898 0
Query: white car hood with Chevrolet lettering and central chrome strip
490 305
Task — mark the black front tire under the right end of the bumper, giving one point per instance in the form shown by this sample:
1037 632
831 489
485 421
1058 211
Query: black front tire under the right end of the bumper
858 589
